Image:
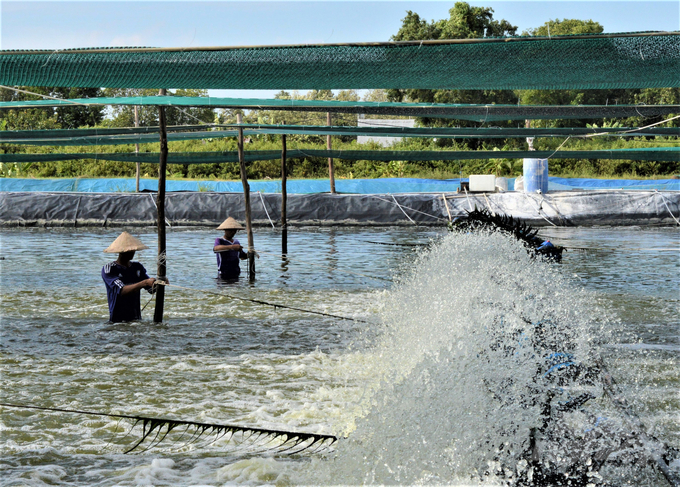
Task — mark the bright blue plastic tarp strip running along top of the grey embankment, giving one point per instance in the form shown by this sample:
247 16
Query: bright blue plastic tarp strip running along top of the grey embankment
307 186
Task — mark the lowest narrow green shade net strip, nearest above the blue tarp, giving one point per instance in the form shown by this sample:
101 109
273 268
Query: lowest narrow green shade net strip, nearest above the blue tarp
651 154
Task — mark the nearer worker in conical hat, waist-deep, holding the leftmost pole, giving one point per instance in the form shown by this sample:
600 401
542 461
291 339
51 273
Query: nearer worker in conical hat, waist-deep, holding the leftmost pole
124 279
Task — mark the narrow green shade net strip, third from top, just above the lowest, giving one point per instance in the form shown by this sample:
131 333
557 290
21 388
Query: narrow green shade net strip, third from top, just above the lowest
142 135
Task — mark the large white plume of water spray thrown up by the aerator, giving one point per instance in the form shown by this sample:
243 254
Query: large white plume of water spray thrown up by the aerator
456 381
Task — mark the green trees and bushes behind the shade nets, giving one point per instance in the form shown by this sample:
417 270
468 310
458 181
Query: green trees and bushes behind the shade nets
464 21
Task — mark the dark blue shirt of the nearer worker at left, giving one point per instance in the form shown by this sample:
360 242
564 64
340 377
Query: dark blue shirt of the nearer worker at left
123 308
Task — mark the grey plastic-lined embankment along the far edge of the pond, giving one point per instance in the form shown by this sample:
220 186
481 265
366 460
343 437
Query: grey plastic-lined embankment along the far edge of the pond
559 208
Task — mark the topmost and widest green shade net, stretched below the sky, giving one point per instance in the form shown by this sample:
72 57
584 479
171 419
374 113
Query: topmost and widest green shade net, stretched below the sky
595 61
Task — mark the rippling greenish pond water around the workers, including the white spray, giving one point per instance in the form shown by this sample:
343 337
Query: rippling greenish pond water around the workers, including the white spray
404 388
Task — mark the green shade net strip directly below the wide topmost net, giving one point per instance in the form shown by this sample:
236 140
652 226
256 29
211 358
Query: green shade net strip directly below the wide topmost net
476 113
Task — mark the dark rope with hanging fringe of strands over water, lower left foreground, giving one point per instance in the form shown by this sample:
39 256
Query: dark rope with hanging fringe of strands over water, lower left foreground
291 440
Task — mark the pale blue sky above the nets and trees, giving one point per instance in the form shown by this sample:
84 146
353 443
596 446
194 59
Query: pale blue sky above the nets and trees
61 24
